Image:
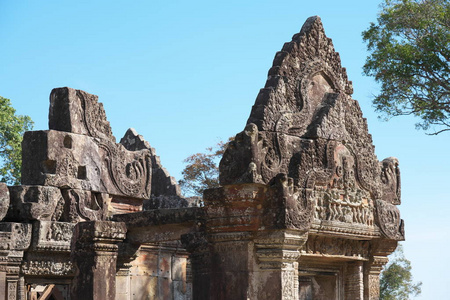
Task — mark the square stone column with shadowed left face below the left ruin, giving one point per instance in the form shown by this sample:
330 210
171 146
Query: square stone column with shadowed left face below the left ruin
94 253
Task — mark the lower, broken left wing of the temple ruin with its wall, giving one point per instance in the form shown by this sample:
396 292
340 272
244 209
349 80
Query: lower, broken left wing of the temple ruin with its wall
58 240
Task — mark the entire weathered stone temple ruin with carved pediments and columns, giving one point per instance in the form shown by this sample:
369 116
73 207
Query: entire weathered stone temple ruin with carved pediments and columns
305 209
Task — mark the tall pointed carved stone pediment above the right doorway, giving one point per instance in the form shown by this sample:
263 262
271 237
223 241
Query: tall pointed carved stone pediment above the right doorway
306 128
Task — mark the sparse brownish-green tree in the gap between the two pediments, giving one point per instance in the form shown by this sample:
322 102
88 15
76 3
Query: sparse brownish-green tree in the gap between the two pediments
202 171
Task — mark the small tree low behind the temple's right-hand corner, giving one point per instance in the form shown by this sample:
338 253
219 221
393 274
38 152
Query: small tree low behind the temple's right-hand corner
396 282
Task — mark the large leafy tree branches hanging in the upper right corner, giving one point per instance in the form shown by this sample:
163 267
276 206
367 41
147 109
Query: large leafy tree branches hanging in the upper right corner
409 49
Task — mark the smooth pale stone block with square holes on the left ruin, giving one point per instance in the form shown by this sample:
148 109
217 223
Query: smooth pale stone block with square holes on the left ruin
63 160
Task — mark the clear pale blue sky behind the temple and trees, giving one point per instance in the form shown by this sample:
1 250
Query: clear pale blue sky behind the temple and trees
185 74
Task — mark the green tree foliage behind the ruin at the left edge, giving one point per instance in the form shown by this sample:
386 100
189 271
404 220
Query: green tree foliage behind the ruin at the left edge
12 128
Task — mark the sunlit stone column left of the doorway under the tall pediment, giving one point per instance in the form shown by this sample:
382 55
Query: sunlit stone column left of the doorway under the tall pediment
276 273
